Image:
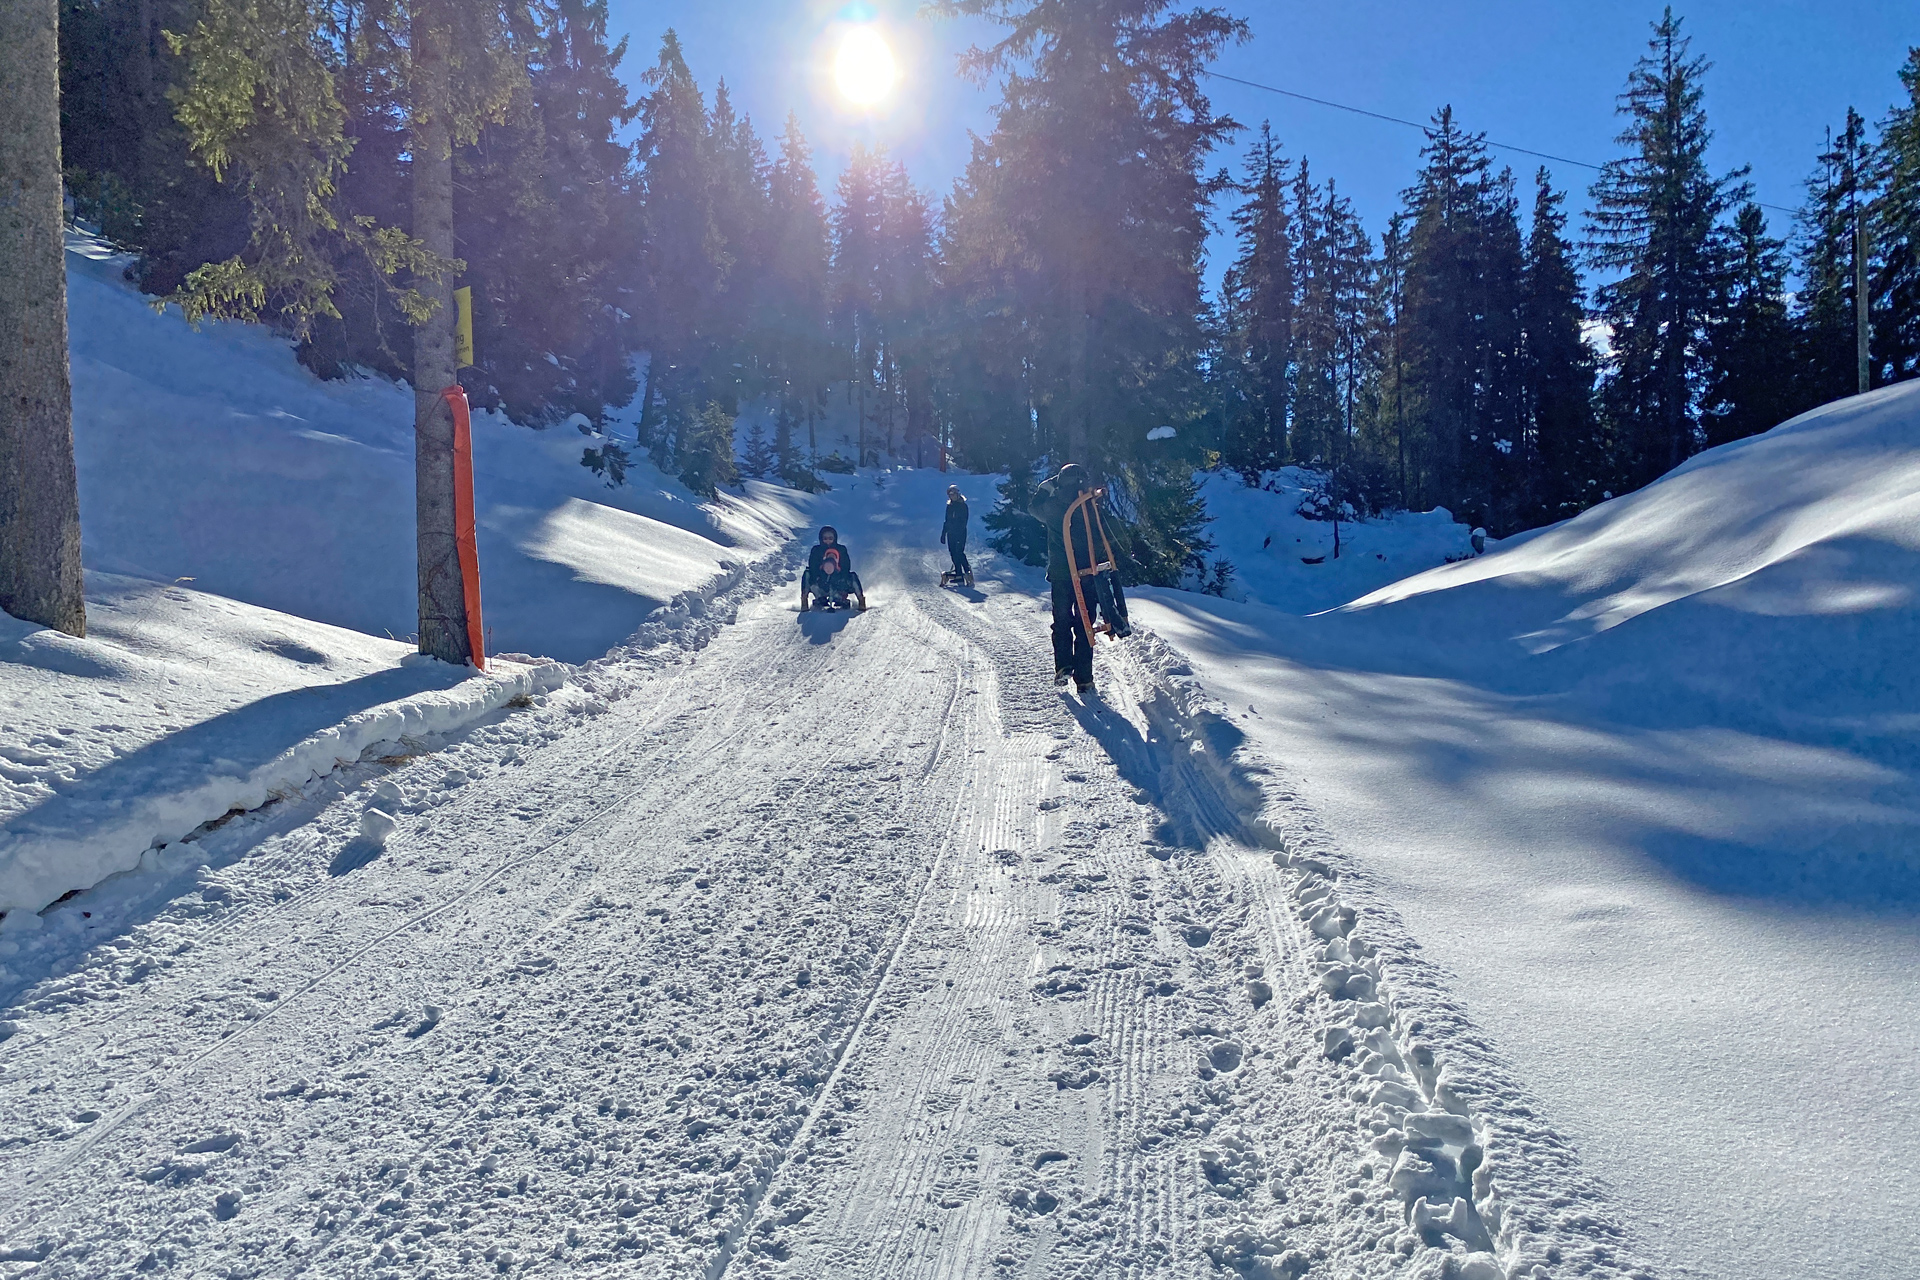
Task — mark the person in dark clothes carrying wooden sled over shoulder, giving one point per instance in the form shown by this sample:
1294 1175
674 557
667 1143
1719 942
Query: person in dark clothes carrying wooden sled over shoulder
1080 569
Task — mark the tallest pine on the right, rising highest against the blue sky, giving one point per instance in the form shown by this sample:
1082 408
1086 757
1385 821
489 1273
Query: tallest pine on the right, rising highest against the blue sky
1658 224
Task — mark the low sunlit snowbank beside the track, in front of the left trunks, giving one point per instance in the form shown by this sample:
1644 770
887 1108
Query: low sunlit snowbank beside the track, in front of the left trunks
183 707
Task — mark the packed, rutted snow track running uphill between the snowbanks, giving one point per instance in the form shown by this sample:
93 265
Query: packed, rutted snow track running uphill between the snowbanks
842 947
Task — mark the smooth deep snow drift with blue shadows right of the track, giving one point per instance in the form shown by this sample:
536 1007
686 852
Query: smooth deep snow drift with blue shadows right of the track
1644 784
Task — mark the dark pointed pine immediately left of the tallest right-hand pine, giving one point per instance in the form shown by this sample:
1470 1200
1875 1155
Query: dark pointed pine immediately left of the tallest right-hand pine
1560 444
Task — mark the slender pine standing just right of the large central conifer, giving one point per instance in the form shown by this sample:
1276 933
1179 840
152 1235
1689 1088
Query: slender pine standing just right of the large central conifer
1259 310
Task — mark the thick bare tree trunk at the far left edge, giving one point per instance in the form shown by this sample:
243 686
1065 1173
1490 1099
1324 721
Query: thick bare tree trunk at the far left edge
39 488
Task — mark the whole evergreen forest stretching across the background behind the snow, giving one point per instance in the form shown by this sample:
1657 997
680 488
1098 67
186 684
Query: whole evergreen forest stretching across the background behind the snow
635 243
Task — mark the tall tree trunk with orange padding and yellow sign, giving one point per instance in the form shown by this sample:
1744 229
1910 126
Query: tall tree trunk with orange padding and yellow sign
443 600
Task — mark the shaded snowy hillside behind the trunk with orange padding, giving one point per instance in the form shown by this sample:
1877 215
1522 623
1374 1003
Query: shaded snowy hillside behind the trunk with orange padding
214 456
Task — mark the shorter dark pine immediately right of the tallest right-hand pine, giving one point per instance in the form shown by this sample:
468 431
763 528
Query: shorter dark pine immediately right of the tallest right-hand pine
1752 387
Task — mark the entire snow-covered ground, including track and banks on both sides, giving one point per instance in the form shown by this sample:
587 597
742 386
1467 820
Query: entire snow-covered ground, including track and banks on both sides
1547 914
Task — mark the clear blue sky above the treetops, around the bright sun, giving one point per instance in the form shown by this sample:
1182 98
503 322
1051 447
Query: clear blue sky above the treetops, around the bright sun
1539 74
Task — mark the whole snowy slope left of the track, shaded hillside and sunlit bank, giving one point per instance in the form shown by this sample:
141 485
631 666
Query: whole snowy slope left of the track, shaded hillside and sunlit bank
249 536
